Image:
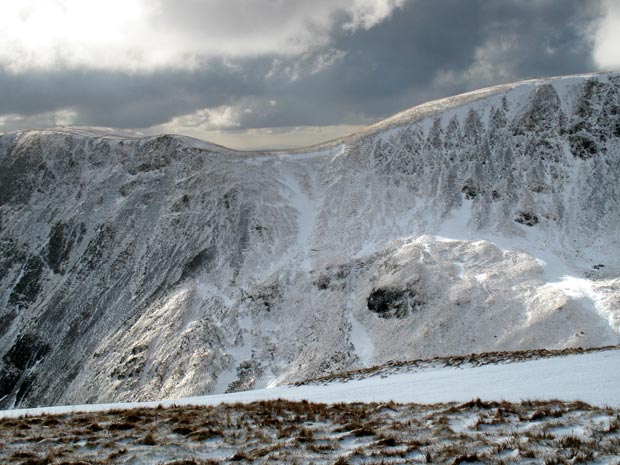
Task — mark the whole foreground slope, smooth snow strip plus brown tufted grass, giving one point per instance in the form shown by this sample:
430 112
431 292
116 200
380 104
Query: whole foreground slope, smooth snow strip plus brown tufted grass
380 421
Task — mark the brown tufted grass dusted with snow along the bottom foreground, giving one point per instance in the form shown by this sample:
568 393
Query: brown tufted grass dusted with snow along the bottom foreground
284 432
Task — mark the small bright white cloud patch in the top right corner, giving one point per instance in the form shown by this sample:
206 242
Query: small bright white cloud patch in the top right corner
607 37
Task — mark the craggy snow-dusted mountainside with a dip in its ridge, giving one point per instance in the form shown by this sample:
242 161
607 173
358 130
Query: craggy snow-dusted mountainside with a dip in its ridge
141 268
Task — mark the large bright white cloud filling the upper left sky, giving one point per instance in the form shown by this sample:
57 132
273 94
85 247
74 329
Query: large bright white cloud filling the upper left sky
142 35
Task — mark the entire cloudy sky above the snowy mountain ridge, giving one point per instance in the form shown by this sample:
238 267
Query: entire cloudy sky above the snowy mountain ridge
277 73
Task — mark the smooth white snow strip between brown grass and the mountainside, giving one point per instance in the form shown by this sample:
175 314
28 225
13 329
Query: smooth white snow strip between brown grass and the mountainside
592 378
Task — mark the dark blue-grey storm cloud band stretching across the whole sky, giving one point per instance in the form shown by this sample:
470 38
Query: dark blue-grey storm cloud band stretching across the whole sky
427 49
